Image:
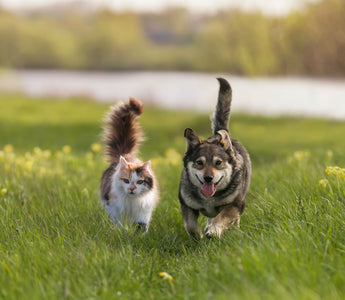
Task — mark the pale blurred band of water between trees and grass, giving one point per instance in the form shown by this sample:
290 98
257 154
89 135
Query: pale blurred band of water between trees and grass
193 91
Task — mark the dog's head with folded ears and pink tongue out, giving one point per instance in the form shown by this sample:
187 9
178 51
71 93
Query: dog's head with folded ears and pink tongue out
211 162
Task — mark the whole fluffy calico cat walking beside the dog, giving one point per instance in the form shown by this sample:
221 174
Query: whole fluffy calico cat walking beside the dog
128 188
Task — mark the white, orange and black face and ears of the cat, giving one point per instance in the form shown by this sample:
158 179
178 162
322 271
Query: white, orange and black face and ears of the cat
135 178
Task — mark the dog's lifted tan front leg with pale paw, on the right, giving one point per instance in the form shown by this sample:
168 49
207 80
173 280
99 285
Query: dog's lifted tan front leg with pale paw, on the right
228 216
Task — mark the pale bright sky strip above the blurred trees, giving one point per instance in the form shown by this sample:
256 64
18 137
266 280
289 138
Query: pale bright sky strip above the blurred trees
272 7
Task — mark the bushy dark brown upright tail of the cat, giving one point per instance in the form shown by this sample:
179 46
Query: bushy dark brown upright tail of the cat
122 133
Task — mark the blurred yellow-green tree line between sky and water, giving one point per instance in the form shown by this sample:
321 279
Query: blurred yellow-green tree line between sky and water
308 42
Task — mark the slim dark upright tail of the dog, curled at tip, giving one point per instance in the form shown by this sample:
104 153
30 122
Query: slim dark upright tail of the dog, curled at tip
221 116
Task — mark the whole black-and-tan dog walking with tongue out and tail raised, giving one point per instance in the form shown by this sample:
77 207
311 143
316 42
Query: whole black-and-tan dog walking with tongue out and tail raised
216 176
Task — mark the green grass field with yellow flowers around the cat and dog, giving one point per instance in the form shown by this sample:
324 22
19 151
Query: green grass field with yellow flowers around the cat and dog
56 242
